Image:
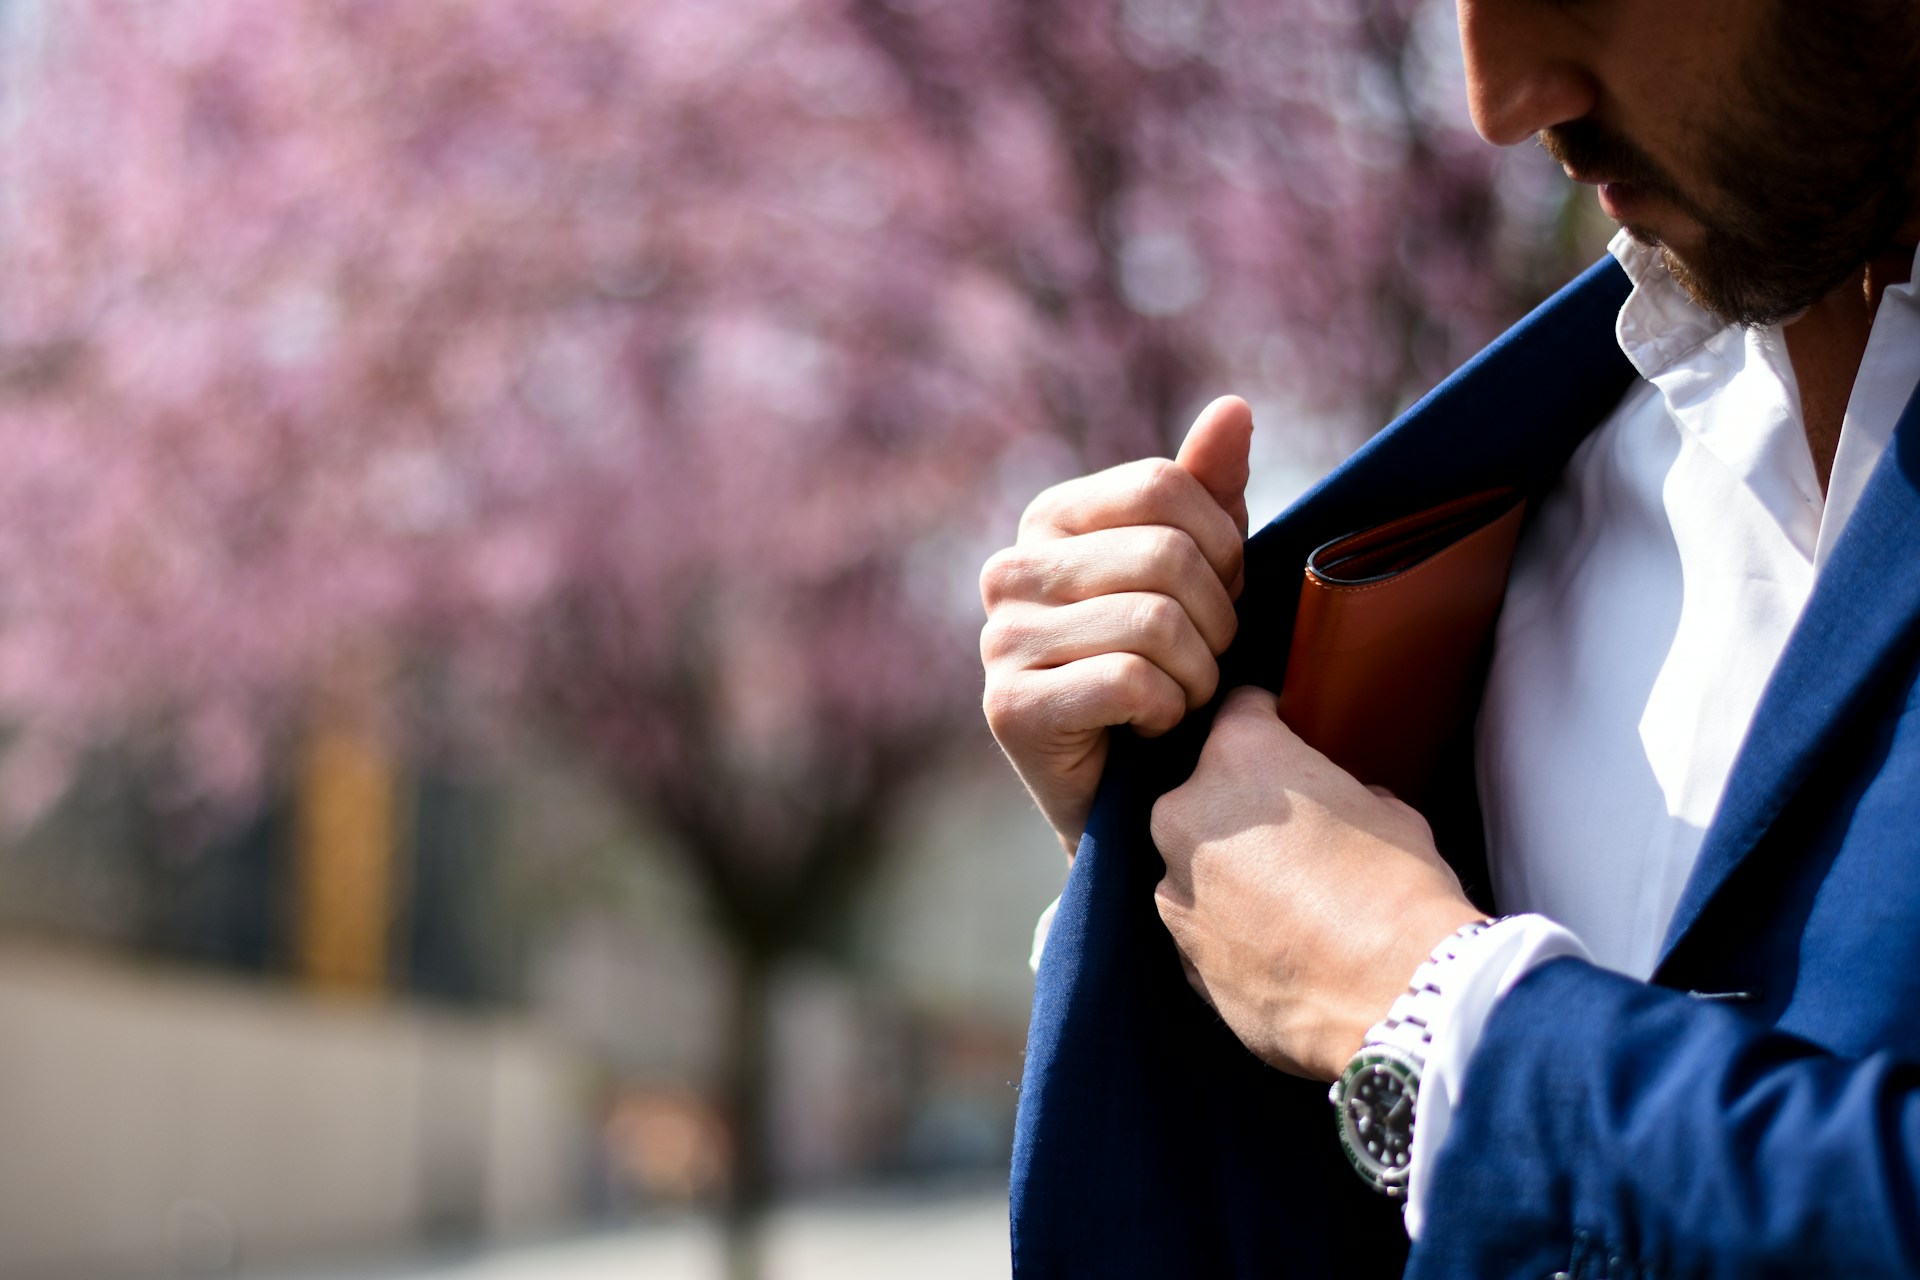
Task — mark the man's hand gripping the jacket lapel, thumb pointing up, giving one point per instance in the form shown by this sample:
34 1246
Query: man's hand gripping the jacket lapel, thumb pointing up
1113 609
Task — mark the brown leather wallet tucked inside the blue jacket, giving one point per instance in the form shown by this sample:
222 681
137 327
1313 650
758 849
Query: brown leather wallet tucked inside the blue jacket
1393 634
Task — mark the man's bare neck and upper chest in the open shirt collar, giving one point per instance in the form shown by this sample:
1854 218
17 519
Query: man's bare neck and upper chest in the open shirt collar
1829 341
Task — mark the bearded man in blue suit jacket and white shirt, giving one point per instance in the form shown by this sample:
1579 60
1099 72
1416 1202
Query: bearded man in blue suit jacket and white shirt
1687 1053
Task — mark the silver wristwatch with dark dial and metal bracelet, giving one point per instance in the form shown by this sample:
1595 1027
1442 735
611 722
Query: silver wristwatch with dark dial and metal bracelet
1378 1097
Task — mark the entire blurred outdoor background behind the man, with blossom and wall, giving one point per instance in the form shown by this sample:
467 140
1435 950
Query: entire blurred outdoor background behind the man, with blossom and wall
491 508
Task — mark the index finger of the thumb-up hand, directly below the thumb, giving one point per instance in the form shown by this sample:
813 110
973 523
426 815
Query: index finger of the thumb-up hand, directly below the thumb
1153 492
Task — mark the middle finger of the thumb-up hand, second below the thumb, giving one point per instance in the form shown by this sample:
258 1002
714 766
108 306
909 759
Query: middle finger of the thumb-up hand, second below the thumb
1157 559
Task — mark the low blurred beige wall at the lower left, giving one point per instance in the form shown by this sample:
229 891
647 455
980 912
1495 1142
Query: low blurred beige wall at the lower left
162 1124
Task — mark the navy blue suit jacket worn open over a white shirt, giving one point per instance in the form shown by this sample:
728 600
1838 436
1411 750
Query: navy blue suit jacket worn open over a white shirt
1612 1127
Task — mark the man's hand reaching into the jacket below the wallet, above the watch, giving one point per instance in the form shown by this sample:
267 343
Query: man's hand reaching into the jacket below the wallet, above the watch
1301 901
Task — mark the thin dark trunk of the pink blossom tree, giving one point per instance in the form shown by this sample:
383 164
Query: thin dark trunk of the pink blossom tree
746 1076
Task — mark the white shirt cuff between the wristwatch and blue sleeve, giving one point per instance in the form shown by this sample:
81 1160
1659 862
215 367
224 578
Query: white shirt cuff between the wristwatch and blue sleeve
1485 968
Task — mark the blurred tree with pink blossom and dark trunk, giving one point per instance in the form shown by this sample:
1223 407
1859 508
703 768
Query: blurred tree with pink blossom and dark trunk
642 371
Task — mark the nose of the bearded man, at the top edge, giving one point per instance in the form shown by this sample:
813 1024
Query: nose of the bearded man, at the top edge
1524 68
